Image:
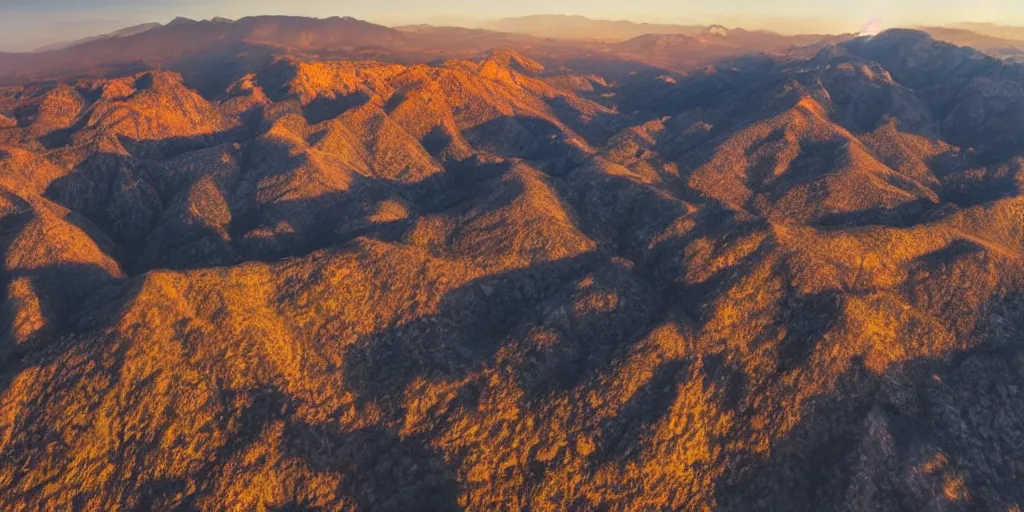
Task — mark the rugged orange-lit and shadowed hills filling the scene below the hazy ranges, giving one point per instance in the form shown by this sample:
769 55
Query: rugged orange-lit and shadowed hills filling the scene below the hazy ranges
781 282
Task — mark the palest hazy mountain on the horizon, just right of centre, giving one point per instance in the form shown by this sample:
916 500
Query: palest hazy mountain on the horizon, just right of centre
576 27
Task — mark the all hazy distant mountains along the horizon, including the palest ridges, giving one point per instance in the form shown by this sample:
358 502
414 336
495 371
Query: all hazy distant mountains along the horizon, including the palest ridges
228 50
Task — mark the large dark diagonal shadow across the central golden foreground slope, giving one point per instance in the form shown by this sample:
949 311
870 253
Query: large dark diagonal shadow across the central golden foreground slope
501 313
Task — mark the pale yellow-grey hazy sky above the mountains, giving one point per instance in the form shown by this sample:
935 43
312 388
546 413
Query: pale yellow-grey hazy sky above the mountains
28 24
